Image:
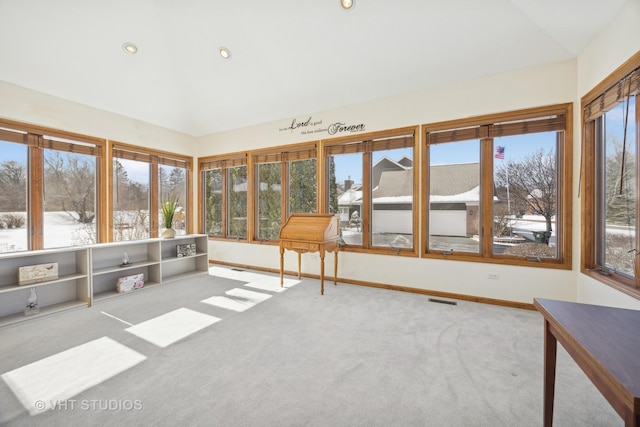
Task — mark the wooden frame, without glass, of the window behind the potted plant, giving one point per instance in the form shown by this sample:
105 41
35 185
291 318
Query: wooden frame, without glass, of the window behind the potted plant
154 158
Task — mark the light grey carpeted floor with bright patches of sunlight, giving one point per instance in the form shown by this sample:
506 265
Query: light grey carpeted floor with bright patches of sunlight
254 356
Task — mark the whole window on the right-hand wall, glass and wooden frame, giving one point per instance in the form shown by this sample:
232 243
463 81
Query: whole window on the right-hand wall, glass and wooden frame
611 113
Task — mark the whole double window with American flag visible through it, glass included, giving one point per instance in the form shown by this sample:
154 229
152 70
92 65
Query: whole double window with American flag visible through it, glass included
498 188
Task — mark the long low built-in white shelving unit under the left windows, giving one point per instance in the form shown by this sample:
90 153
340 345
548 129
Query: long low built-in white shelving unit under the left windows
89 273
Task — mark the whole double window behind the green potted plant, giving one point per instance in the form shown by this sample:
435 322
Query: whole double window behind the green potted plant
142 180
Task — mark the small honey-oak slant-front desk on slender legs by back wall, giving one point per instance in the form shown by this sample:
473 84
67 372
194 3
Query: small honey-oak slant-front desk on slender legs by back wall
311 233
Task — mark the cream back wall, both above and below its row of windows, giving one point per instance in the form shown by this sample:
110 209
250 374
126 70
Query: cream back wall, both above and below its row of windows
534 87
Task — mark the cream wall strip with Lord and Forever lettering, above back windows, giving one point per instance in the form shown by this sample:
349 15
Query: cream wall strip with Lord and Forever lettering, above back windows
532 87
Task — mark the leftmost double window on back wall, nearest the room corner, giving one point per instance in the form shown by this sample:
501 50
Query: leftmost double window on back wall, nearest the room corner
224 196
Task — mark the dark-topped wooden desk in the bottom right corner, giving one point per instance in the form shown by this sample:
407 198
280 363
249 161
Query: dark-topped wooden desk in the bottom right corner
604 342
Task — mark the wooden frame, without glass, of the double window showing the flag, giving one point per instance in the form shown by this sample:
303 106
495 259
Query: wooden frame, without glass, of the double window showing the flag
485 128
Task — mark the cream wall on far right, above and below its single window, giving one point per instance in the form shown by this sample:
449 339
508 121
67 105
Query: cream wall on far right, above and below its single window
613 46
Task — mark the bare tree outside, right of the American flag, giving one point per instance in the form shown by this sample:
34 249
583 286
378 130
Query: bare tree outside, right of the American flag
532 183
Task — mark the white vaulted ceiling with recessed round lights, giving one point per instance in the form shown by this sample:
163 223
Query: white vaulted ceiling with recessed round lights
289 57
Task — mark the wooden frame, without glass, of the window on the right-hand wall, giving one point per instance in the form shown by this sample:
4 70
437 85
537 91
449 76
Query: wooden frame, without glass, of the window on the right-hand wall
593 105
